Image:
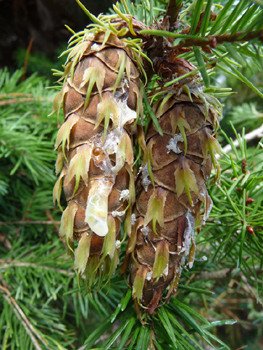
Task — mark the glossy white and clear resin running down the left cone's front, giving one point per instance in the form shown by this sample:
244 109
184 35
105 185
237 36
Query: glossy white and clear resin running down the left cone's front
96 213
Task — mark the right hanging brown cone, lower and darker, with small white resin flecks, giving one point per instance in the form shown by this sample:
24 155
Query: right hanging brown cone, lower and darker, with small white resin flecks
172 186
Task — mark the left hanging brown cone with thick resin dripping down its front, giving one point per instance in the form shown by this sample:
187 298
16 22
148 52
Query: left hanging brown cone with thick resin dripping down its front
101 102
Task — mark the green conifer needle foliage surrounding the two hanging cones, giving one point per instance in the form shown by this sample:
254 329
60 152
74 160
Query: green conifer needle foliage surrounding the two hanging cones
42 306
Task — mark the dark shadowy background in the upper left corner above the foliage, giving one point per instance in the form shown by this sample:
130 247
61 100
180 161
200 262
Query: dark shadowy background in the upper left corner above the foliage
39 27
